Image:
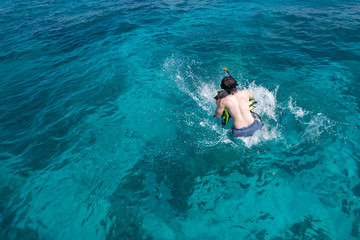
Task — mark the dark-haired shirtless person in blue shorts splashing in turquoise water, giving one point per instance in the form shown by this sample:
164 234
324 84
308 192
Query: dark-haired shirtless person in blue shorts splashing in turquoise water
237 103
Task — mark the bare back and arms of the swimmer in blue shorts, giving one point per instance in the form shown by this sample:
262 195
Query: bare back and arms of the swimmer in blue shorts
238 106
